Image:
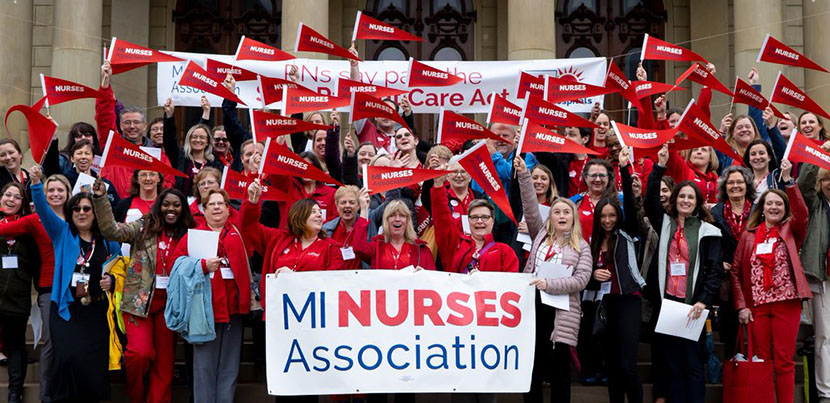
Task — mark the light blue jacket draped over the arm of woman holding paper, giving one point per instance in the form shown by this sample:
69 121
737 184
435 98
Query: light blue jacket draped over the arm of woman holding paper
189 309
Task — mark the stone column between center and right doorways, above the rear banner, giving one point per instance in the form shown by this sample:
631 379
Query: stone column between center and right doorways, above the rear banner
530 30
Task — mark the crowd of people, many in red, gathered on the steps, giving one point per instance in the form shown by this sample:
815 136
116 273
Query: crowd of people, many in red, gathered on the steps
691 226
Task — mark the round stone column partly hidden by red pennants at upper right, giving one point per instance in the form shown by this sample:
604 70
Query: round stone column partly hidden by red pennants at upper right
754 19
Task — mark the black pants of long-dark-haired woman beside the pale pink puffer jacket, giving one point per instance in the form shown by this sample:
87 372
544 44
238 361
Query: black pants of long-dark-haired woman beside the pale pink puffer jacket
621 340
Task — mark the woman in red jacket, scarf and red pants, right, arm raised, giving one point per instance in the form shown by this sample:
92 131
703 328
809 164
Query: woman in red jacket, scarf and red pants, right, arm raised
768 281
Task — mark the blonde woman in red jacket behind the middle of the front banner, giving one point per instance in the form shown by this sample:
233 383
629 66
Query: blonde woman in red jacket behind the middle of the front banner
397 247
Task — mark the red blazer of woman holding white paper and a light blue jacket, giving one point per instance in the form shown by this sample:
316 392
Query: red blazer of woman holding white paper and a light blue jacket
223 293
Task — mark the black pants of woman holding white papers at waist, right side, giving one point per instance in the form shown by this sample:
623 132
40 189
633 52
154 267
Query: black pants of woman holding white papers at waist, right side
684 361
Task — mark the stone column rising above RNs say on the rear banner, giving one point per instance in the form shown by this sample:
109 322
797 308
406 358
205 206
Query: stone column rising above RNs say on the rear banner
314 13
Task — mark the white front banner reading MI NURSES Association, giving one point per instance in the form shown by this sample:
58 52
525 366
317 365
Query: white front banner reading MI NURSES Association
384 331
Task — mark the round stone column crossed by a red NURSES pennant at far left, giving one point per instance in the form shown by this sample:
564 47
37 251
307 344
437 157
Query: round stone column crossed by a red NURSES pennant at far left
76 55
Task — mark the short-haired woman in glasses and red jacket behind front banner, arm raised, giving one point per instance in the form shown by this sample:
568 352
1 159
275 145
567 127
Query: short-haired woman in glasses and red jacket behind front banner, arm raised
468 253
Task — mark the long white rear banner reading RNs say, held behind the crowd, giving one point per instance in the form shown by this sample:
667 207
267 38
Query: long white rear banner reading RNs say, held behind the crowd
481 79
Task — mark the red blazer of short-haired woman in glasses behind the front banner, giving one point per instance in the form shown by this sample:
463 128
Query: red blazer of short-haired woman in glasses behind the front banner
456 249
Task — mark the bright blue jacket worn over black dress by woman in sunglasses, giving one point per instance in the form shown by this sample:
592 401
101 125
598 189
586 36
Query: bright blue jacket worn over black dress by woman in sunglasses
67 249
